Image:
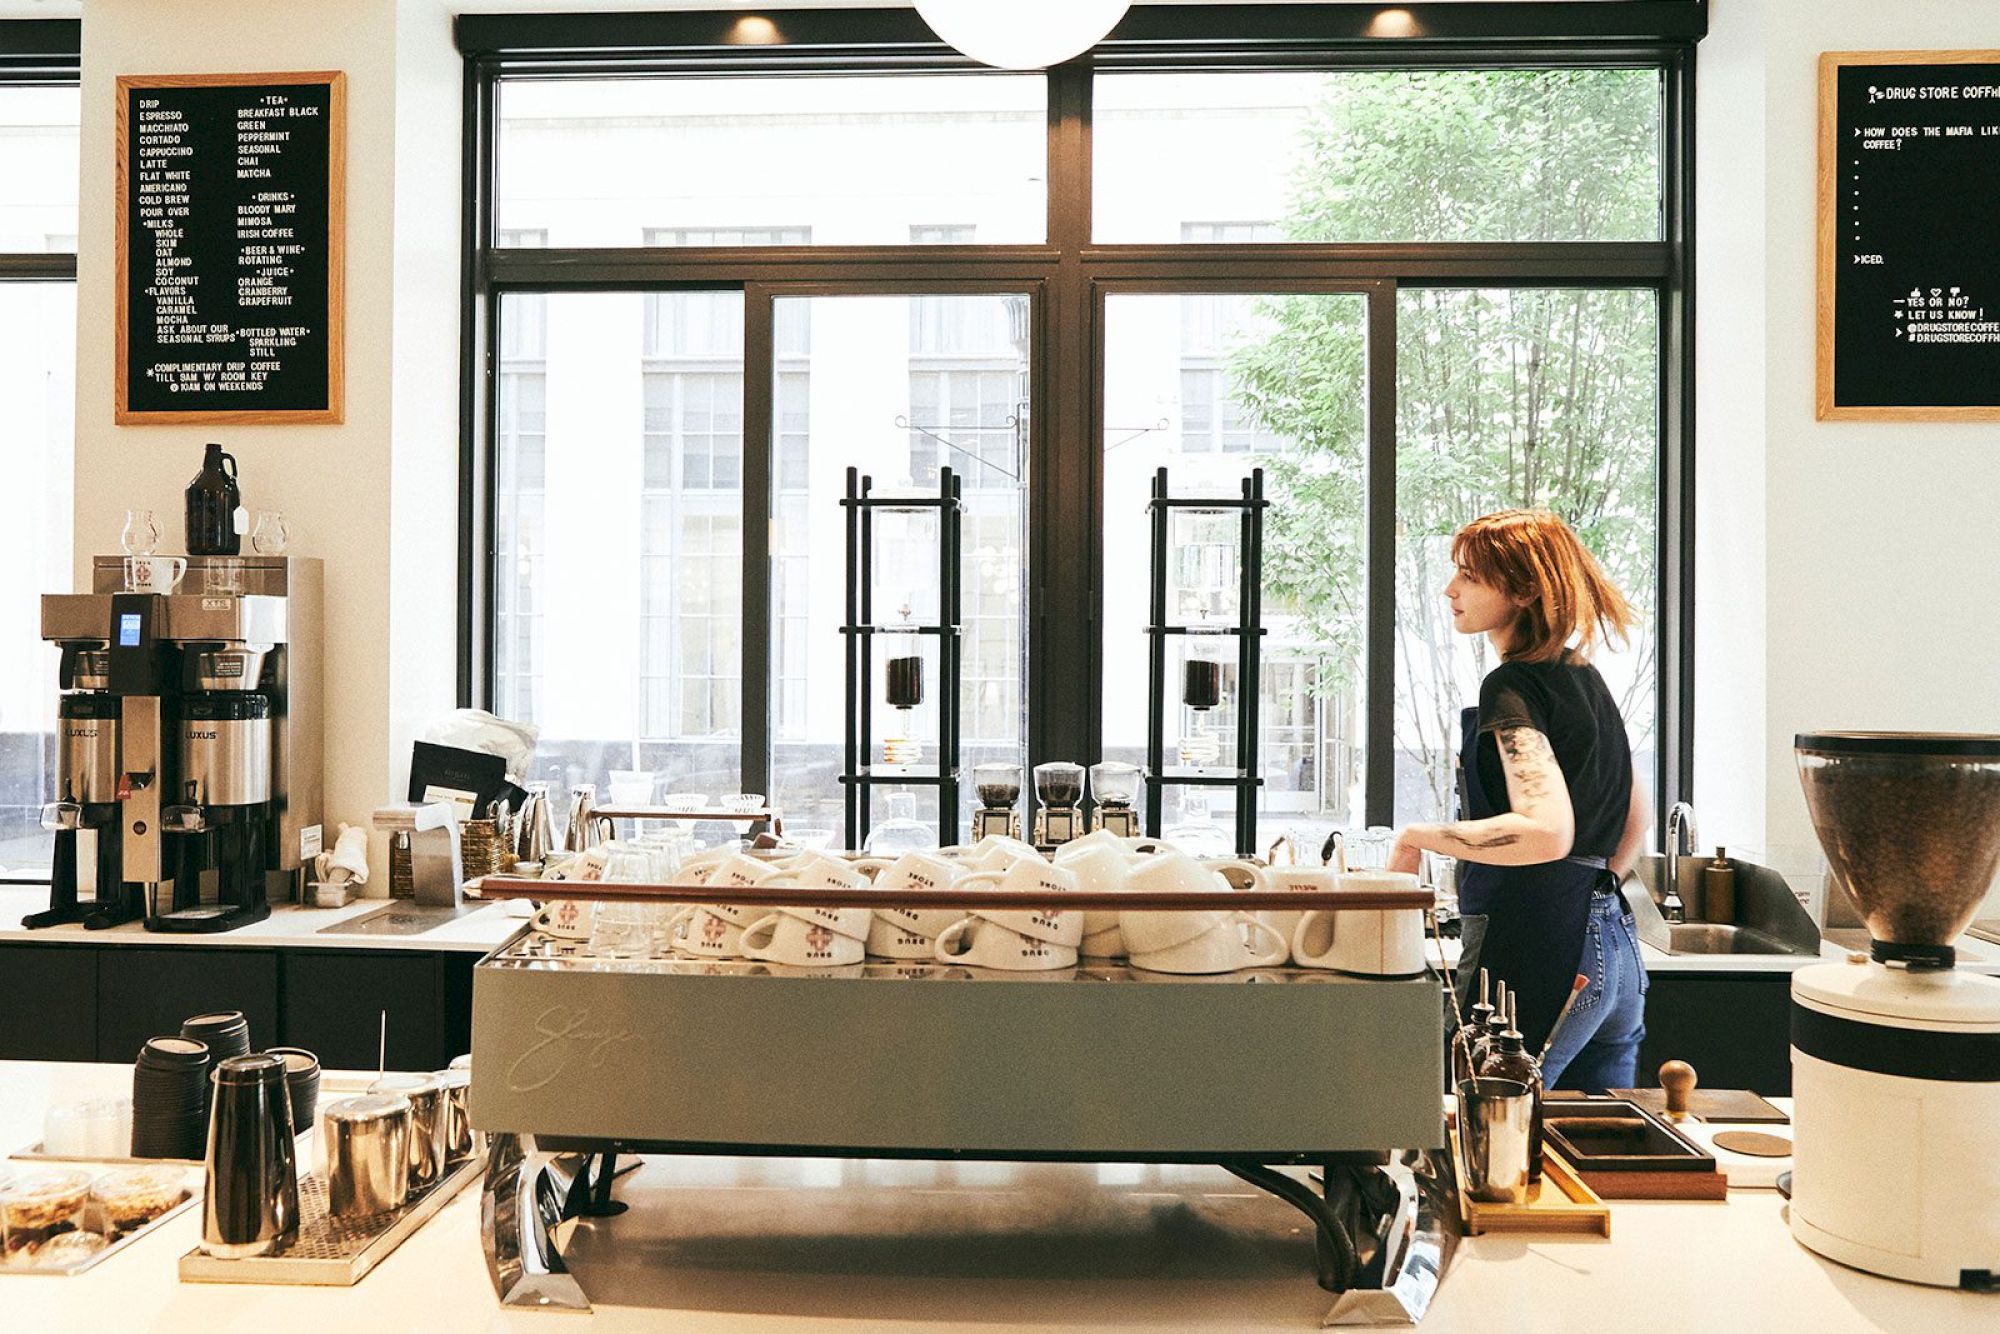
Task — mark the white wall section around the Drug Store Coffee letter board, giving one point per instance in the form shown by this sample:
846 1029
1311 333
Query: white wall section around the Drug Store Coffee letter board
1877 541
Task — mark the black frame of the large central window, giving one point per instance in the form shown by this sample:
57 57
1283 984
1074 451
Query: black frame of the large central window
1069 277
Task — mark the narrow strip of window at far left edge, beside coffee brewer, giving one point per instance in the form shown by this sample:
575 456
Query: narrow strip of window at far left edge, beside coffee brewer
39 129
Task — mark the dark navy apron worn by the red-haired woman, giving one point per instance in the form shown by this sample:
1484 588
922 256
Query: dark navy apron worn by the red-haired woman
1525 925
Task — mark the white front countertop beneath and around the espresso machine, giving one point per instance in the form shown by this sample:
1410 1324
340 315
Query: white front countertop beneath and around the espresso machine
739 1245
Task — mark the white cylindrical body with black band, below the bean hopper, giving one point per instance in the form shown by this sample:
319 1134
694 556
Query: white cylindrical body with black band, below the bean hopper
1897 1121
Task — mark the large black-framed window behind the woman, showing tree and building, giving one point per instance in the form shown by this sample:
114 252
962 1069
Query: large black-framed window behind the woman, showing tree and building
1407 295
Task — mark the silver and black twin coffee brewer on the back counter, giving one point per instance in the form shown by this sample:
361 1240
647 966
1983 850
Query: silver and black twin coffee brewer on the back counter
213 699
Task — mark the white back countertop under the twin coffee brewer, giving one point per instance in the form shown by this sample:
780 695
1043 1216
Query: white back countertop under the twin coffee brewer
289 927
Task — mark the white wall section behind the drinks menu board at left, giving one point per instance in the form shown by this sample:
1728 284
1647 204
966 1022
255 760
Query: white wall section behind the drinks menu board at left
377 497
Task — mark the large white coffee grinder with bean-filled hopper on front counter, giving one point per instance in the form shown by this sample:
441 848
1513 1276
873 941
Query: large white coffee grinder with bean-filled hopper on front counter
1897 1055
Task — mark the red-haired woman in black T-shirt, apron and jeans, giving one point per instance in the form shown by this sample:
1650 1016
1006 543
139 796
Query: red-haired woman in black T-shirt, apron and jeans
1553 815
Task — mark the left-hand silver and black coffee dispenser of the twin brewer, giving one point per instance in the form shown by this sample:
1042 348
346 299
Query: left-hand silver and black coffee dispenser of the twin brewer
87 799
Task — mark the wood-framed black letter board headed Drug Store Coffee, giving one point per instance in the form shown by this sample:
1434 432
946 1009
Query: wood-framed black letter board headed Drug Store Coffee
1909 237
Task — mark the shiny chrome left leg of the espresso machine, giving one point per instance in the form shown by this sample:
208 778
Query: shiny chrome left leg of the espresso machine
523 1203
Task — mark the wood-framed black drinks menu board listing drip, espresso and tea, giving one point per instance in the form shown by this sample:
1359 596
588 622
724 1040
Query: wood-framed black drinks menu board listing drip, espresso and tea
231 235
